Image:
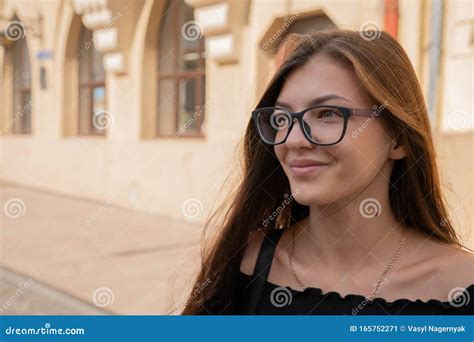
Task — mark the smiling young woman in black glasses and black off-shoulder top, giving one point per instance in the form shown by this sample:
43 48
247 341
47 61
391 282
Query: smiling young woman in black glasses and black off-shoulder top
340 208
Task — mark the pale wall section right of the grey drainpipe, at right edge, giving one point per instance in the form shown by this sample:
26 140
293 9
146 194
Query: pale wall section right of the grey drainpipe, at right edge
455 122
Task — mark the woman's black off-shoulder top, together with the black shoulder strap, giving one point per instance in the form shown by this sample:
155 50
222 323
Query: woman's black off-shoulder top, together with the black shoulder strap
260 297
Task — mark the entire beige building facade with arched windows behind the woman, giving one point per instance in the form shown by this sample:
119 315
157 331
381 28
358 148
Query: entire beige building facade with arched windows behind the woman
142 103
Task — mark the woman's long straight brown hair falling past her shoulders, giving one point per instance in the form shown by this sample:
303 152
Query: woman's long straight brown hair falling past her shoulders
415 193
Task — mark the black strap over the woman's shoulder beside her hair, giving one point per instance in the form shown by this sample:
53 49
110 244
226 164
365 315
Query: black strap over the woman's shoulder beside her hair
262 268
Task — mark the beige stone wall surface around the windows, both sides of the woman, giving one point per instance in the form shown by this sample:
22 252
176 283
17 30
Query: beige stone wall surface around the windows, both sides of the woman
130 168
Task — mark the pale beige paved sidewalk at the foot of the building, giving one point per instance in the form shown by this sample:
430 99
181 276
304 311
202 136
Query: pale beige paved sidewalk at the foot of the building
118 260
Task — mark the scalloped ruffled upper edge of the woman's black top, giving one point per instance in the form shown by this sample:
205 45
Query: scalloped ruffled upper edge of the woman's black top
359 298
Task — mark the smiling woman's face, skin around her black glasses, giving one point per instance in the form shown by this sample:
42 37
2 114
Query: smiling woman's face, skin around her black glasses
360 159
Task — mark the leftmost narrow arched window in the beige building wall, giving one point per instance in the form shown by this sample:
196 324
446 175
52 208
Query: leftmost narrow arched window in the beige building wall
21 120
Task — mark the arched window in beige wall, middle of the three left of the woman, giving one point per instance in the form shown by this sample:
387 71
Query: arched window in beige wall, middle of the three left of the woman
91 86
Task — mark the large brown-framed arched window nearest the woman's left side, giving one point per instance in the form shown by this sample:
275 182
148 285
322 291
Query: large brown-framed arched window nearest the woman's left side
181 73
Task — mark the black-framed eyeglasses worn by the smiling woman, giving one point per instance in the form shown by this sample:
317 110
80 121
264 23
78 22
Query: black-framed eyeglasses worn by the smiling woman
321 125
